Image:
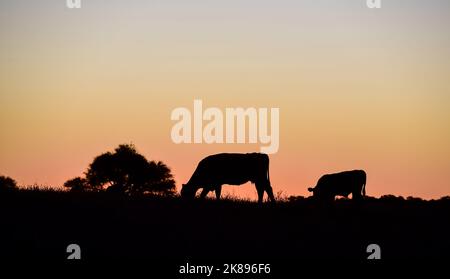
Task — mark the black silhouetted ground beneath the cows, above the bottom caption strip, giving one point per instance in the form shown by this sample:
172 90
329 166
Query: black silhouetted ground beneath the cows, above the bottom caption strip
40 224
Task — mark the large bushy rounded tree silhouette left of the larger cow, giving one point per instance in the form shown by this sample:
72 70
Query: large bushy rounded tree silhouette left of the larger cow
127 171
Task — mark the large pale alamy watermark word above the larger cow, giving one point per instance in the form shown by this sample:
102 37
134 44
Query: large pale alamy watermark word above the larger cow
220 127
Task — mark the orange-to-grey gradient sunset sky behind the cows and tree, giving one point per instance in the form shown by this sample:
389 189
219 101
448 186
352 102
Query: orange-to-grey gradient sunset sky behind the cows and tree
357 88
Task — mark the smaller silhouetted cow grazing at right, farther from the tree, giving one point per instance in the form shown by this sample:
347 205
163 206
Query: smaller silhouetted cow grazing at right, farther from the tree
341 184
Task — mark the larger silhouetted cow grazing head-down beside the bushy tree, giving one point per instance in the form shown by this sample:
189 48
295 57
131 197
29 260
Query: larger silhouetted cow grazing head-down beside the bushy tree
232 169
